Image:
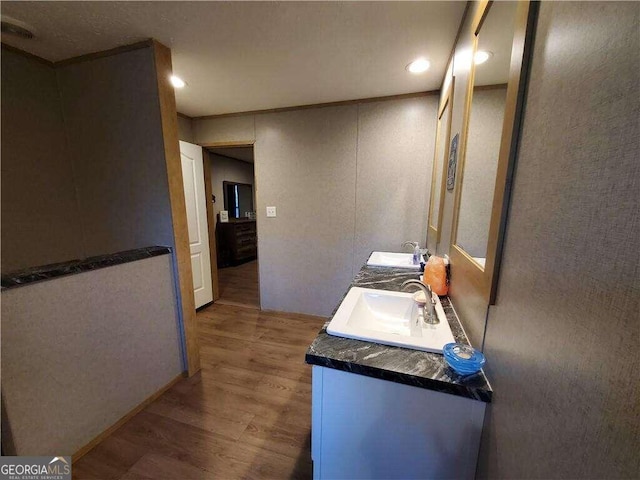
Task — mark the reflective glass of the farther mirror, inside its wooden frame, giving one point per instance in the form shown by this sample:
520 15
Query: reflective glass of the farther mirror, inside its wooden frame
442 149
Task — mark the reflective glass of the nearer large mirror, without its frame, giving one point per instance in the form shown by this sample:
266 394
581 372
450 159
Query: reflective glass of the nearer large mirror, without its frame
484 131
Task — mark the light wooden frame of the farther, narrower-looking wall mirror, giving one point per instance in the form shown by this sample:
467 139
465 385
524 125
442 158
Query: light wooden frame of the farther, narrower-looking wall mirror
445 102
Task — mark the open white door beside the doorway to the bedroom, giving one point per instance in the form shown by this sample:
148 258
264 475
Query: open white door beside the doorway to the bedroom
193 178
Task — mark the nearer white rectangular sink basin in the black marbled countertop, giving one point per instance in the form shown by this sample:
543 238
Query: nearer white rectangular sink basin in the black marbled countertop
388 317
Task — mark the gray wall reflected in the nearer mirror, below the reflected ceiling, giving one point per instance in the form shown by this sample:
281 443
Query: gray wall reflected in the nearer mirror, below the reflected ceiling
480 167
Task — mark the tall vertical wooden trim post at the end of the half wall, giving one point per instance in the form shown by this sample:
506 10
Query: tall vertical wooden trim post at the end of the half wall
169 117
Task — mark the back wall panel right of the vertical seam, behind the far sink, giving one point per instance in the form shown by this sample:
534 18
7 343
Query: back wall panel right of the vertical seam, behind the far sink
396 140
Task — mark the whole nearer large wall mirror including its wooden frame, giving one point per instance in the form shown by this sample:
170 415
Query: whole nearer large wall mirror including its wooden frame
493 107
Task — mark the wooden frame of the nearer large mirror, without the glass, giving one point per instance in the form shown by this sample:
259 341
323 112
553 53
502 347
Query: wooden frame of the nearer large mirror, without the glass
484 280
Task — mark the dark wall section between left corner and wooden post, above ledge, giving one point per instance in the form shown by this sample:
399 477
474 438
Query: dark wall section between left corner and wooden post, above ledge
115 142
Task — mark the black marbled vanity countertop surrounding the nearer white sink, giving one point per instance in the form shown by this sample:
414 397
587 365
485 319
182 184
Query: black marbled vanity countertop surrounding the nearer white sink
401 365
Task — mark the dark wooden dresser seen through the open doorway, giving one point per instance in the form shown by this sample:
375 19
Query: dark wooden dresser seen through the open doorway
236 241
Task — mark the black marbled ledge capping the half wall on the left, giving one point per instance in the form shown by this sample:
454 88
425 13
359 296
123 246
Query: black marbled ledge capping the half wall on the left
72 267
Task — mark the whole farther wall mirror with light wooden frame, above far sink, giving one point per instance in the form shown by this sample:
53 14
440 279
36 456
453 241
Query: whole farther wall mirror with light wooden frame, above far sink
438 178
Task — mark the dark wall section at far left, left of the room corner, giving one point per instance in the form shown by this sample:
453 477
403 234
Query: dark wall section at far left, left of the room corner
38 195
